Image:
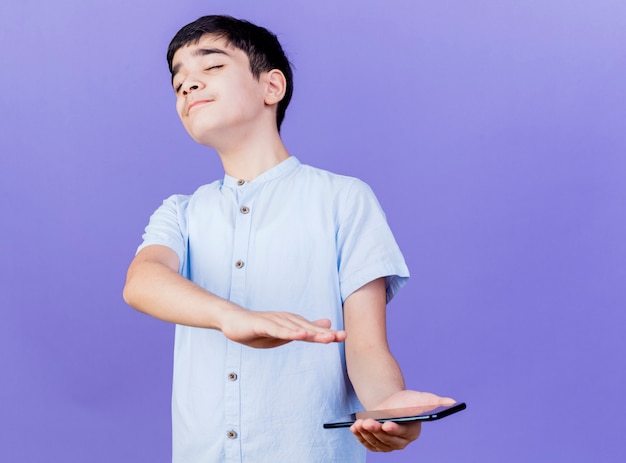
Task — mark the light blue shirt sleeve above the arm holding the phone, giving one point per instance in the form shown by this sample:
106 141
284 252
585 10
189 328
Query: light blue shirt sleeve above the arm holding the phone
367 249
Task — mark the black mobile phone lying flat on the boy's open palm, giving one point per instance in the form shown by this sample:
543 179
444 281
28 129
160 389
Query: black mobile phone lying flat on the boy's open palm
399 415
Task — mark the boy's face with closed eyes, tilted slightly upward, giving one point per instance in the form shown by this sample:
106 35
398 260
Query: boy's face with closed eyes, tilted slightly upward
216 92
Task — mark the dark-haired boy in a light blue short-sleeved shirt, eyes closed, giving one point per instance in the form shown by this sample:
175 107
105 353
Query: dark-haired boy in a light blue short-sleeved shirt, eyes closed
277 276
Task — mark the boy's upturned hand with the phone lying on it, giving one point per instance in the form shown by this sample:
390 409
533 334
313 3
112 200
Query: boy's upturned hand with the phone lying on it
385 437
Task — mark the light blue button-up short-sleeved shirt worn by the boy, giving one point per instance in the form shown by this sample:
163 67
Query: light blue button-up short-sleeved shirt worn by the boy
295 239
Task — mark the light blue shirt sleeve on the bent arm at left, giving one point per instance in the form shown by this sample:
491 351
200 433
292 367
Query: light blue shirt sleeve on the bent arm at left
168 227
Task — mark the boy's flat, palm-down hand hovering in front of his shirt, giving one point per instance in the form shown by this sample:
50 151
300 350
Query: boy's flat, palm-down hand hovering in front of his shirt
273 329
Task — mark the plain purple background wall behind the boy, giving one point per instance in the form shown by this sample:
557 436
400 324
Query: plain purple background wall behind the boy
493 132
